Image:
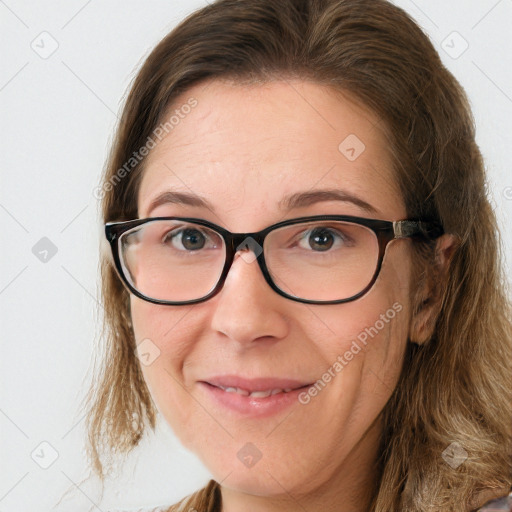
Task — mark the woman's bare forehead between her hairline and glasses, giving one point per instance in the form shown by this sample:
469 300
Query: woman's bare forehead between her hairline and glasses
244 147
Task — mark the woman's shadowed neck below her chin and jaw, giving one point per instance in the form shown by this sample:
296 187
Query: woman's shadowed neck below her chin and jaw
350 488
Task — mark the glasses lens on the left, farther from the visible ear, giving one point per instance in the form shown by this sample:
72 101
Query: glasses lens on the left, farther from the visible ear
172 260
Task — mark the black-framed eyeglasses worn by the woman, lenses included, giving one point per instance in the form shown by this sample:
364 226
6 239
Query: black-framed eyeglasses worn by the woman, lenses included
323 259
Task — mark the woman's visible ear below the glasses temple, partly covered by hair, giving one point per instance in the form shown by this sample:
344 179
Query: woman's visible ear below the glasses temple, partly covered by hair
430 292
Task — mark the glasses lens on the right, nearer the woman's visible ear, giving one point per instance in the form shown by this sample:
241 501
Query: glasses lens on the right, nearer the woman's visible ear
322 260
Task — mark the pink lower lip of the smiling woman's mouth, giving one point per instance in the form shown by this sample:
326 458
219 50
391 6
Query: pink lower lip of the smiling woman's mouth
251 406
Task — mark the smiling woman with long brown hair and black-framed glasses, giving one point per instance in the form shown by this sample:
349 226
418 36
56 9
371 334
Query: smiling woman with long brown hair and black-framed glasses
305 278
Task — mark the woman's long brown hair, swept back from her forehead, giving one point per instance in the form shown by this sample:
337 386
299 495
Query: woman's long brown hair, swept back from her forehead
456 387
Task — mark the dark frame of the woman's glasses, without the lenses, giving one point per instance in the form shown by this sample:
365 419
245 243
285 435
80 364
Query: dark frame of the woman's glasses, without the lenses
385 231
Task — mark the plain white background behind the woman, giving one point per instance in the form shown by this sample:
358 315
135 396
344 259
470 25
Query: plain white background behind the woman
58 115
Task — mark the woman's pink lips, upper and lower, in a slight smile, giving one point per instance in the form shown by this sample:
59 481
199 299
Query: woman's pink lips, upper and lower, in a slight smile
249 405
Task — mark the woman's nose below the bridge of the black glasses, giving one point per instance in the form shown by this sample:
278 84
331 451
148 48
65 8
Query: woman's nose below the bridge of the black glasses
247 309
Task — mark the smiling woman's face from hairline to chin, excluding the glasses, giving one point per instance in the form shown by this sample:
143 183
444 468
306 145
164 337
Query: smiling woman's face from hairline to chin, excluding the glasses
243 149
